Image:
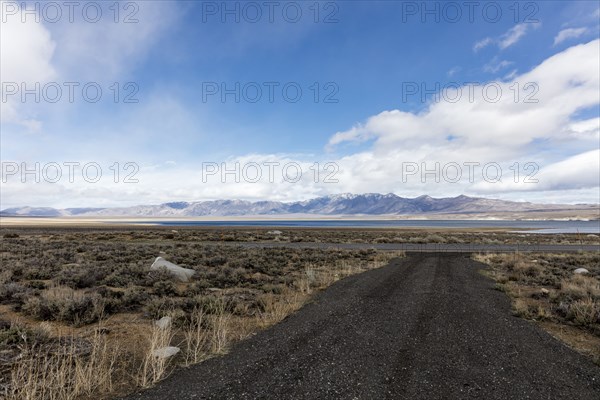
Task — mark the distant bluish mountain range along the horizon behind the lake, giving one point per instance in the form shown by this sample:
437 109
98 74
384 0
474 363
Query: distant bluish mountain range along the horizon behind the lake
342 204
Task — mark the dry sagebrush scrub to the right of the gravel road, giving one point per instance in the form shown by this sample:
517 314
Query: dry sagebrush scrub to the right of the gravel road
544 288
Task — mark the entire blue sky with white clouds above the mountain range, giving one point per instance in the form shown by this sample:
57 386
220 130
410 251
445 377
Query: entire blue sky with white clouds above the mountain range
365 58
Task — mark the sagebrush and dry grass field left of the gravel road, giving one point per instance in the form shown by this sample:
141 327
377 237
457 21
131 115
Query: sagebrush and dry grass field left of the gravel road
82 316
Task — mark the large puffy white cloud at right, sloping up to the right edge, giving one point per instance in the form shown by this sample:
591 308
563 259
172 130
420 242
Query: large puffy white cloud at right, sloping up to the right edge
491 129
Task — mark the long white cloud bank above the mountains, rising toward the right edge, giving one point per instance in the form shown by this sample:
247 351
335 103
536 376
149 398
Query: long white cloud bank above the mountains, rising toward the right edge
467 130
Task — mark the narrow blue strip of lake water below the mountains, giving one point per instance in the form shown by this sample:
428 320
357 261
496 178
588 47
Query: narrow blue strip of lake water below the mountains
586 227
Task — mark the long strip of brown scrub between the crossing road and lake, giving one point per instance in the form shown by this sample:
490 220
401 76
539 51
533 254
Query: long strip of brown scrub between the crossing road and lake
184 234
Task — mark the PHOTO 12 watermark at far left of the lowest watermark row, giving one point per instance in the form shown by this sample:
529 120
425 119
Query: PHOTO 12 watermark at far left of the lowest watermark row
69 172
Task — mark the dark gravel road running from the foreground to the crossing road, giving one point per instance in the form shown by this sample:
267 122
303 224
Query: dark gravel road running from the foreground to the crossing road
427 326
